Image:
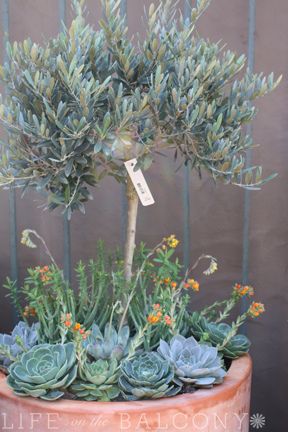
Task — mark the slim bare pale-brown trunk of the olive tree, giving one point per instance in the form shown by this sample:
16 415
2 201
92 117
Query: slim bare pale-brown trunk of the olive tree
133 202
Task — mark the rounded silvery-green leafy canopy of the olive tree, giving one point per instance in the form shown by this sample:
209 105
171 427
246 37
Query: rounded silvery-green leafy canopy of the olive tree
87 100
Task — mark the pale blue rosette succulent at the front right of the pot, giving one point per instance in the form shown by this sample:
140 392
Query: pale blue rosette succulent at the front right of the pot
194 363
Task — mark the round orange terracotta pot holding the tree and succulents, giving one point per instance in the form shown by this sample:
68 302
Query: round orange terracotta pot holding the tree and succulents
223 408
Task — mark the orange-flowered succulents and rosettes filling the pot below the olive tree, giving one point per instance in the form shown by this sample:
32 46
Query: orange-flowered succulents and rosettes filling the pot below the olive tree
152 357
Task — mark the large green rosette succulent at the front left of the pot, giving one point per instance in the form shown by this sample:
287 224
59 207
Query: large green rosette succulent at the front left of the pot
44 371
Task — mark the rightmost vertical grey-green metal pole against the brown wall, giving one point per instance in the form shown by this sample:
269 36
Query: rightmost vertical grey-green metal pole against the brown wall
247 196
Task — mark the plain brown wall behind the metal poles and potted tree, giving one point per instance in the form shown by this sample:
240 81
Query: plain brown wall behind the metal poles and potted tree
216 211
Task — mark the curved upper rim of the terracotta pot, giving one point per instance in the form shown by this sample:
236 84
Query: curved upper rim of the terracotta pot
239 372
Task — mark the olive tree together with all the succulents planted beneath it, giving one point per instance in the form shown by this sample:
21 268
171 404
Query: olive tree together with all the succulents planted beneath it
76 109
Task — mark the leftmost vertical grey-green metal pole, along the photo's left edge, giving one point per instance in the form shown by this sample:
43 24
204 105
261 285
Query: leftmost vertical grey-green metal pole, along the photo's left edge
12 195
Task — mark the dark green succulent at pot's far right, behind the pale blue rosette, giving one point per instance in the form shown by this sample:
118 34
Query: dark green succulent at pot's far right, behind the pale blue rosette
216 334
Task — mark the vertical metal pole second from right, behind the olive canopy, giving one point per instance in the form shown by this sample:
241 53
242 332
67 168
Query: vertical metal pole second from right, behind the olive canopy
186 187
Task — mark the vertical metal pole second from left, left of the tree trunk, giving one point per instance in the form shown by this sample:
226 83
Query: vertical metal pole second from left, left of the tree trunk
66 222
